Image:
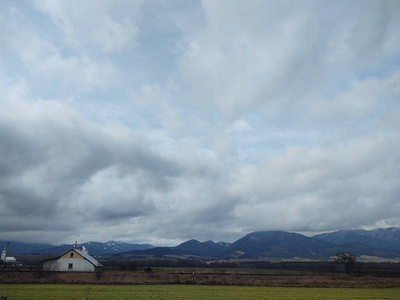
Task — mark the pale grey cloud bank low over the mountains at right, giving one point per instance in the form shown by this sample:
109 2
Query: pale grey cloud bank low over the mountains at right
338 186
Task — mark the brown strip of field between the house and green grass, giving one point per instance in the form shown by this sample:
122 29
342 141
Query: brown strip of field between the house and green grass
140 278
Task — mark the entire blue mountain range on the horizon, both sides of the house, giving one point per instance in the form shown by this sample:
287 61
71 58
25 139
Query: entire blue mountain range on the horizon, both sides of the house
256 245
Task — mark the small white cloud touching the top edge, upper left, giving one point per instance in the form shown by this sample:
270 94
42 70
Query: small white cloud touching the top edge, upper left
91 26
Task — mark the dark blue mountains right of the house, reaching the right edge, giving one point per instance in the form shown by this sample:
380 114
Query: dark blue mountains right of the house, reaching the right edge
281 244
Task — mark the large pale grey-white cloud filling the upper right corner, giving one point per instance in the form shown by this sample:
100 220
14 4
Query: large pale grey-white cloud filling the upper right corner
275 55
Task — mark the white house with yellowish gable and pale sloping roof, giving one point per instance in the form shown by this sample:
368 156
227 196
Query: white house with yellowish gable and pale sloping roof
73 260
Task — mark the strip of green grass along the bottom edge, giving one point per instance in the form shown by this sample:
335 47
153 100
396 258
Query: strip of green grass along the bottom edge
77 292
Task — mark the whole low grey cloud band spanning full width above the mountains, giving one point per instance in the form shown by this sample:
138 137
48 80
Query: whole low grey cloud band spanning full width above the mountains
82 174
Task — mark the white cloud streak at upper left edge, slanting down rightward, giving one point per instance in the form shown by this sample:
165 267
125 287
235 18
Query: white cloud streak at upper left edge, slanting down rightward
45 62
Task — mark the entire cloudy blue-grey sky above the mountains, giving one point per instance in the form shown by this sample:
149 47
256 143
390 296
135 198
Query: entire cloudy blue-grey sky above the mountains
161 121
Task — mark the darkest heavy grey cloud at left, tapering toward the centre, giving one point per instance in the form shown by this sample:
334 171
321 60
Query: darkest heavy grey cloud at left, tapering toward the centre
47 169
